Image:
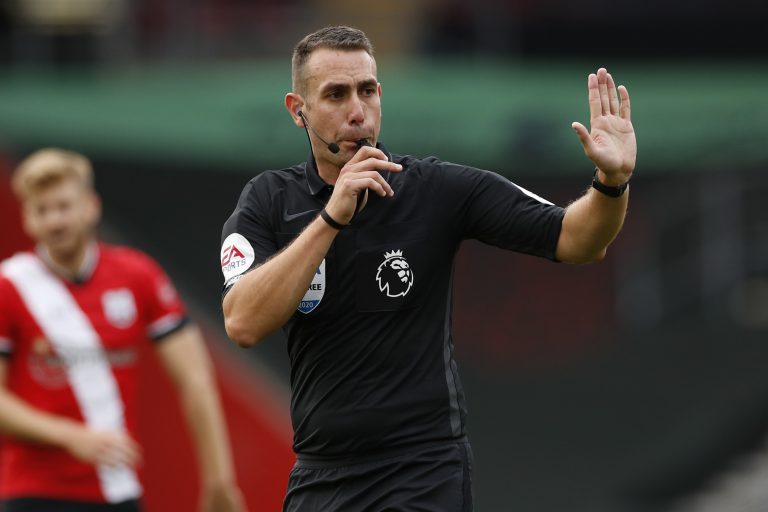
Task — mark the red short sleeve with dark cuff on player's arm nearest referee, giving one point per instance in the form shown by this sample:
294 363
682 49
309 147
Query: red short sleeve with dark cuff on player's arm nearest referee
164 310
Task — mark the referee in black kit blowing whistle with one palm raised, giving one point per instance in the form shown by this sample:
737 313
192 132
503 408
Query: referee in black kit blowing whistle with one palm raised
352 251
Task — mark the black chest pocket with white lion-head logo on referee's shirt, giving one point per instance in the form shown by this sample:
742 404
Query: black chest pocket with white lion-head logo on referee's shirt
391 267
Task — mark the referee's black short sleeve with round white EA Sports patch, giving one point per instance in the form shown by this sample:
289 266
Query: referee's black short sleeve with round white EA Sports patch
247 239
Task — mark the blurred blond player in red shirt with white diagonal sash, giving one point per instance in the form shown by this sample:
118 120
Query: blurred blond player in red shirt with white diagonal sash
73 315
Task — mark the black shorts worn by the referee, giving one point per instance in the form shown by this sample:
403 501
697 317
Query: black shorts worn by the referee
434 478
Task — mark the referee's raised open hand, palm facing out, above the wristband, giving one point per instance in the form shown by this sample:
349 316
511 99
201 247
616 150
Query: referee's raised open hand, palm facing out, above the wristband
611 143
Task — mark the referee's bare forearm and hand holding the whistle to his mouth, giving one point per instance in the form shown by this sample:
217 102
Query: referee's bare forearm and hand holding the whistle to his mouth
266 297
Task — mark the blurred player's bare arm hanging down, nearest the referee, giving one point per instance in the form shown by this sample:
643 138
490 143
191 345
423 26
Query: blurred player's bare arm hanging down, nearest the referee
185 358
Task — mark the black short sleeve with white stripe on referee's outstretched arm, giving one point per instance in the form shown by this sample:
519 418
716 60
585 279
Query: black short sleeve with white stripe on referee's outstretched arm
490 208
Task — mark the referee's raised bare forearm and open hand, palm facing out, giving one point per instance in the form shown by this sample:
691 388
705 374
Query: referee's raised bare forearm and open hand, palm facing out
593 221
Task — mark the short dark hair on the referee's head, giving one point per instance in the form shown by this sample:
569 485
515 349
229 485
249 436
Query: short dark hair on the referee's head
334 38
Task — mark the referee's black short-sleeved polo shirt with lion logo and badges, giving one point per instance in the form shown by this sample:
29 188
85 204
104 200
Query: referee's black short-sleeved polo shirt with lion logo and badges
370 345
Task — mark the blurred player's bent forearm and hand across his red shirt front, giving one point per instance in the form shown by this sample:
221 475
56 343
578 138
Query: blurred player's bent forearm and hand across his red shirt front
20 420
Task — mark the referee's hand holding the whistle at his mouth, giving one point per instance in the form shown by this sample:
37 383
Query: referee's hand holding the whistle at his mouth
359 174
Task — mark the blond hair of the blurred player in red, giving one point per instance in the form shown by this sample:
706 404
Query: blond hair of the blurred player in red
50 166
